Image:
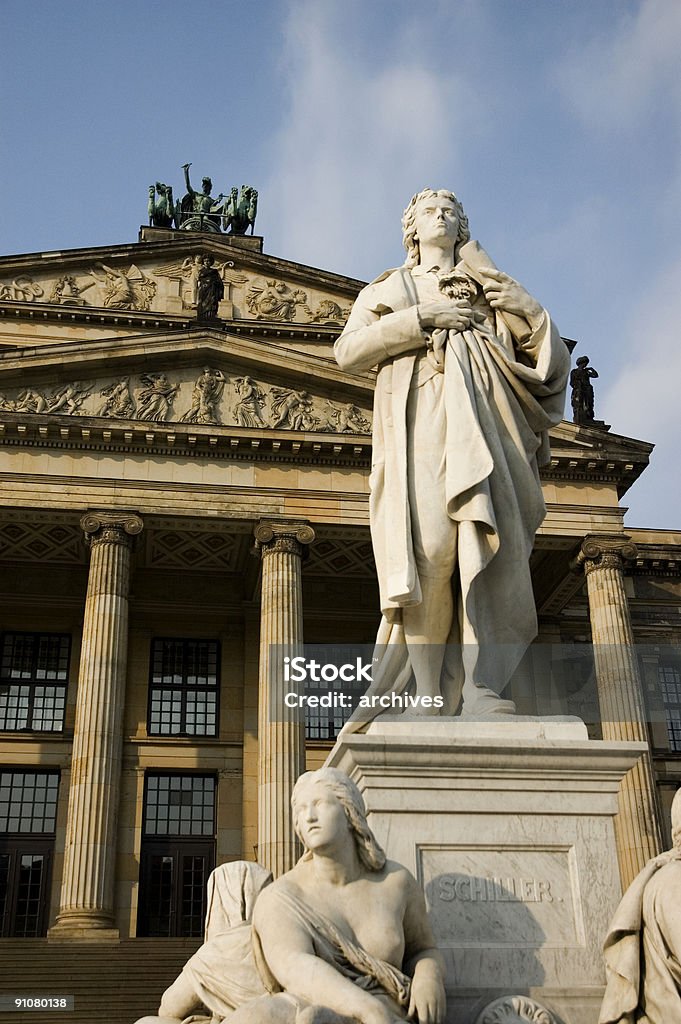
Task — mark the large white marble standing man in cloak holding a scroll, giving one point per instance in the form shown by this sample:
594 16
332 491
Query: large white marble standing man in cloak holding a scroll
472 376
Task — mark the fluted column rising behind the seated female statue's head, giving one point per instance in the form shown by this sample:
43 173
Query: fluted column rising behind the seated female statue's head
281 730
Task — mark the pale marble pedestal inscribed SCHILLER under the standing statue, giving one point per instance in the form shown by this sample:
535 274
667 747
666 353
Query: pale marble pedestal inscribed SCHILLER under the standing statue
509 829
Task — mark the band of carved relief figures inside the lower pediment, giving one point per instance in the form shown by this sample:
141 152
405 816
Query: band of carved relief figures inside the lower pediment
205 397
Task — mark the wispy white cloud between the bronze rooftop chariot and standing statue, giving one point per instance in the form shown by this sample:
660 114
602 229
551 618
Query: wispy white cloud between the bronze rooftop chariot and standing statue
360 138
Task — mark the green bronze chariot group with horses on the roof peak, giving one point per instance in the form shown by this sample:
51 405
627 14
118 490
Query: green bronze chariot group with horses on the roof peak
198 211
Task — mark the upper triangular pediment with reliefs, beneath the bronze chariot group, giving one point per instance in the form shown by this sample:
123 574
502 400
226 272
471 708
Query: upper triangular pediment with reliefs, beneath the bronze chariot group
133 288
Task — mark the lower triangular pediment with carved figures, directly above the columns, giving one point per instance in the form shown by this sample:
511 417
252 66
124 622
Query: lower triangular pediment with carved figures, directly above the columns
208 378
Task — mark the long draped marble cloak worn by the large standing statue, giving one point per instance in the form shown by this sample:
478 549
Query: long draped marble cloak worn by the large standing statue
501 397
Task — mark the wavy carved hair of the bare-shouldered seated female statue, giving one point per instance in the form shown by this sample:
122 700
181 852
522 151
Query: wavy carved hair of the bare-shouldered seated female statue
336 784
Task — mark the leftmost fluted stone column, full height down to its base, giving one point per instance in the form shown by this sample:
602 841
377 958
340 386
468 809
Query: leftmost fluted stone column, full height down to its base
87 908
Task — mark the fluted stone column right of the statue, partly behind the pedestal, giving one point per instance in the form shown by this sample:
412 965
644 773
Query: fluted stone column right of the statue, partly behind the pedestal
621 695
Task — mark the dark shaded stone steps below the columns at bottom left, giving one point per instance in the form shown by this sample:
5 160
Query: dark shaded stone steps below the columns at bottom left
112 985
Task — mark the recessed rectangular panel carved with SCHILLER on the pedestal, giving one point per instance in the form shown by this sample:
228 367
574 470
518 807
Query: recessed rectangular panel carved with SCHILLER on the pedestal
507 897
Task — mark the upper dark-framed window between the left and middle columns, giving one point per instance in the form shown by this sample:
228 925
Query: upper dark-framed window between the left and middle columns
184 689
